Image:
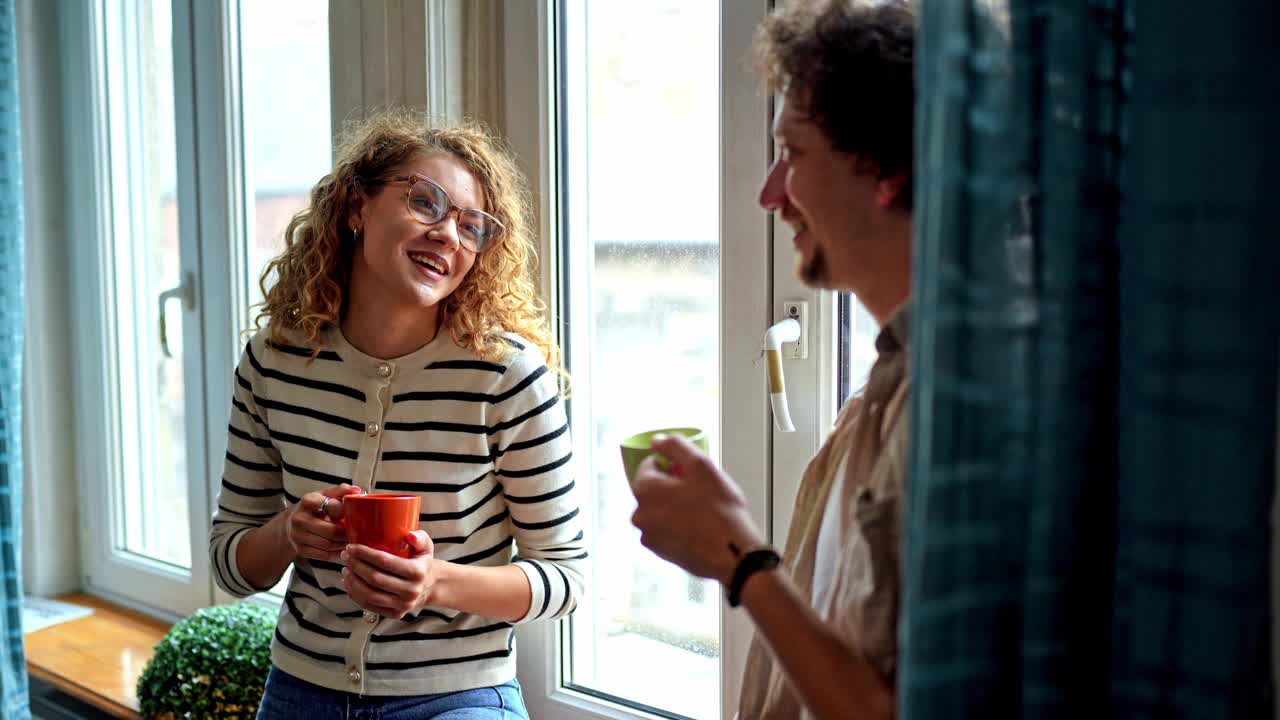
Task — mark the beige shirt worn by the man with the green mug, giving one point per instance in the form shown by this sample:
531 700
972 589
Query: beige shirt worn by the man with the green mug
851 499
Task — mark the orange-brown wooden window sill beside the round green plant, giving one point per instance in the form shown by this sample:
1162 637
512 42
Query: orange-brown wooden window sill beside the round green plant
97 659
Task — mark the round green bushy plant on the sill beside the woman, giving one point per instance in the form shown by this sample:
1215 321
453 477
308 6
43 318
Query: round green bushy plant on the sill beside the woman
212 664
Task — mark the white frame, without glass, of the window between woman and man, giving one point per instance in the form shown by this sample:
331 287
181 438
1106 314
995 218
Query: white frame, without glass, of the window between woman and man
756 253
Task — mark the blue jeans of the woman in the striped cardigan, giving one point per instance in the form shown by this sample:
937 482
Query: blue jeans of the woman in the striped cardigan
289 698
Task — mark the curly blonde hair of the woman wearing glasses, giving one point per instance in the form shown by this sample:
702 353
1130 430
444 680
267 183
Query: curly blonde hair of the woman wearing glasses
499 295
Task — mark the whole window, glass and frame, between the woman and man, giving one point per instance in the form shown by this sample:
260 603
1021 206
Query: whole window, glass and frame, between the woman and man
661 265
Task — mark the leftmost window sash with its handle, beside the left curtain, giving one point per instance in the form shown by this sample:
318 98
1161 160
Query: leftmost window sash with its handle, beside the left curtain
143 425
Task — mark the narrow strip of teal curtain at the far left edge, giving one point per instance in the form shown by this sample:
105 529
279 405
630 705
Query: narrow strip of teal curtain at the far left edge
13 669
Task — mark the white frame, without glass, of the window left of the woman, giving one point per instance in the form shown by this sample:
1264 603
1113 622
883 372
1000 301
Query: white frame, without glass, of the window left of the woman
212 221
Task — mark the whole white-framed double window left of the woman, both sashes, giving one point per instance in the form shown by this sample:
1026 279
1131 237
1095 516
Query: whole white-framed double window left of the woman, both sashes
203 145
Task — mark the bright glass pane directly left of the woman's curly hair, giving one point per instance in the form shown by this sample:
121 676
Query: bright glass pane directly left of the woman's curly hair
285 69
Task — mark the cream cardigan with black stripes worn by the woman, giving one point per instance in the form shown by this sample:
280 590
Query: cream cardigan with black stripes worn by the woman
487 448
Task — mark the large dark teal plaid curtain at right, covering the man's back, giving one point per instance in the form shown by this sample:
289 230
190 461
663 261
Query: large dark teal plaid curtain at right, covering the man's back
1096 361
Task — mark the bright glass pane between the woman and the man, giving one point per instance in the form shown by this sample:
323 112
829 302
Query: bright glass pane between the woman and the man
646 215
